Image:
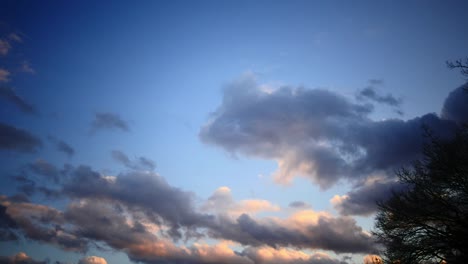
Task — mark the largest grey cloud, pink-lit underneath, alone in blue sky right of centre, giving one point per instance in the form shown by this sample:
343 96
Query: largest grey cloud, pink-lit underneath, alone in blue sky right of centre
314 133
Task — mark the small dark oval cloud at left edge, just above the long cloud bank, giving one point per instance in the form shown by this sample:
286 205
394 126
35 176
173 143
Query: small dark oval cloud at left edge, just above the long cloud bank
17 139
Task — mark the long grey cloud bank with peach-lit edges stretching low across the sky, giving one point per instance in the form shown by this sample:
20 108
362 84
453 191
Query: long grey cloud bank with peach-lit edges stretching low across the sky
140 214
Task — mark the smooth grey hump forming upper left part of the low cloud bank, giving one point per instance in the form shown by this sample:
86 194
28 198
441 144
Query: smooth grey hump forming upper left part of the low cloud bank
144 190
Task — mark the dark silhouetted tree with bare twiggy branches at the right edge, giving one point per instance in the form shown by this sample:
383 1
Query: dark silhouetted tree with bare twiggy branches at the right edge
428 222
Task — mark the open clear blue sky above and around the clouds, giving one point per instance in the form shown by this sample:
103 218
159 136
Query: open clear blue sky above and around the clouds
162 66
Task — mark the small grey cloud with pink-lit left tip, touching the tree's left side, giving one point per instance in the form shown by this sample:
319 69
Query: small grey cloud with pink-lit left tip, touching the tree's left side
363 200
